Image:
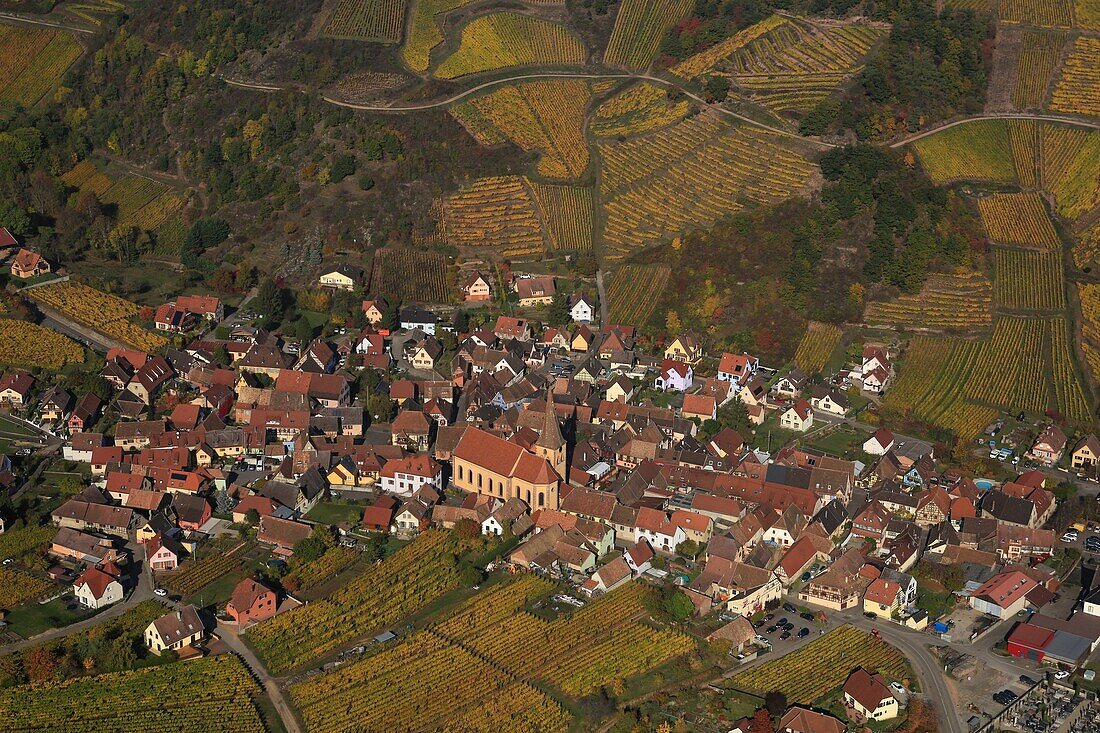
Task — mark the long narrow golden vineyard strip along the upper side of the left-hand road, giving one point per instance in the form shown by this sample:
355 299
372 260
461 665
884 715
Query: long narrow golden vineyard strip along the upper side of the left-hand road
107 314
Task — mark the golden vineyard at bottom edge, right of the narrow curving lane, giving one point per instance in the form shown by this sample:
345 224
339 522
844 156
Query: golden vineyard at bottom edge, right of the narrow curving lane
424 683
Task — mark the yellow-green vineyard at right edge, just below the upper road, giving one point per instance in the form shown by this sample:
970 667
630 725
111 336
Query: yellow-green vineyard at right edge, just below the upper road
1071 159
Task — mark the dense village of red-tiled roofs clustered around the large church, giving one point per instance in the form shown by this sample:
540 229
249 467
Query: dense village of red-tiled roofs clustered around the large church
245 475
